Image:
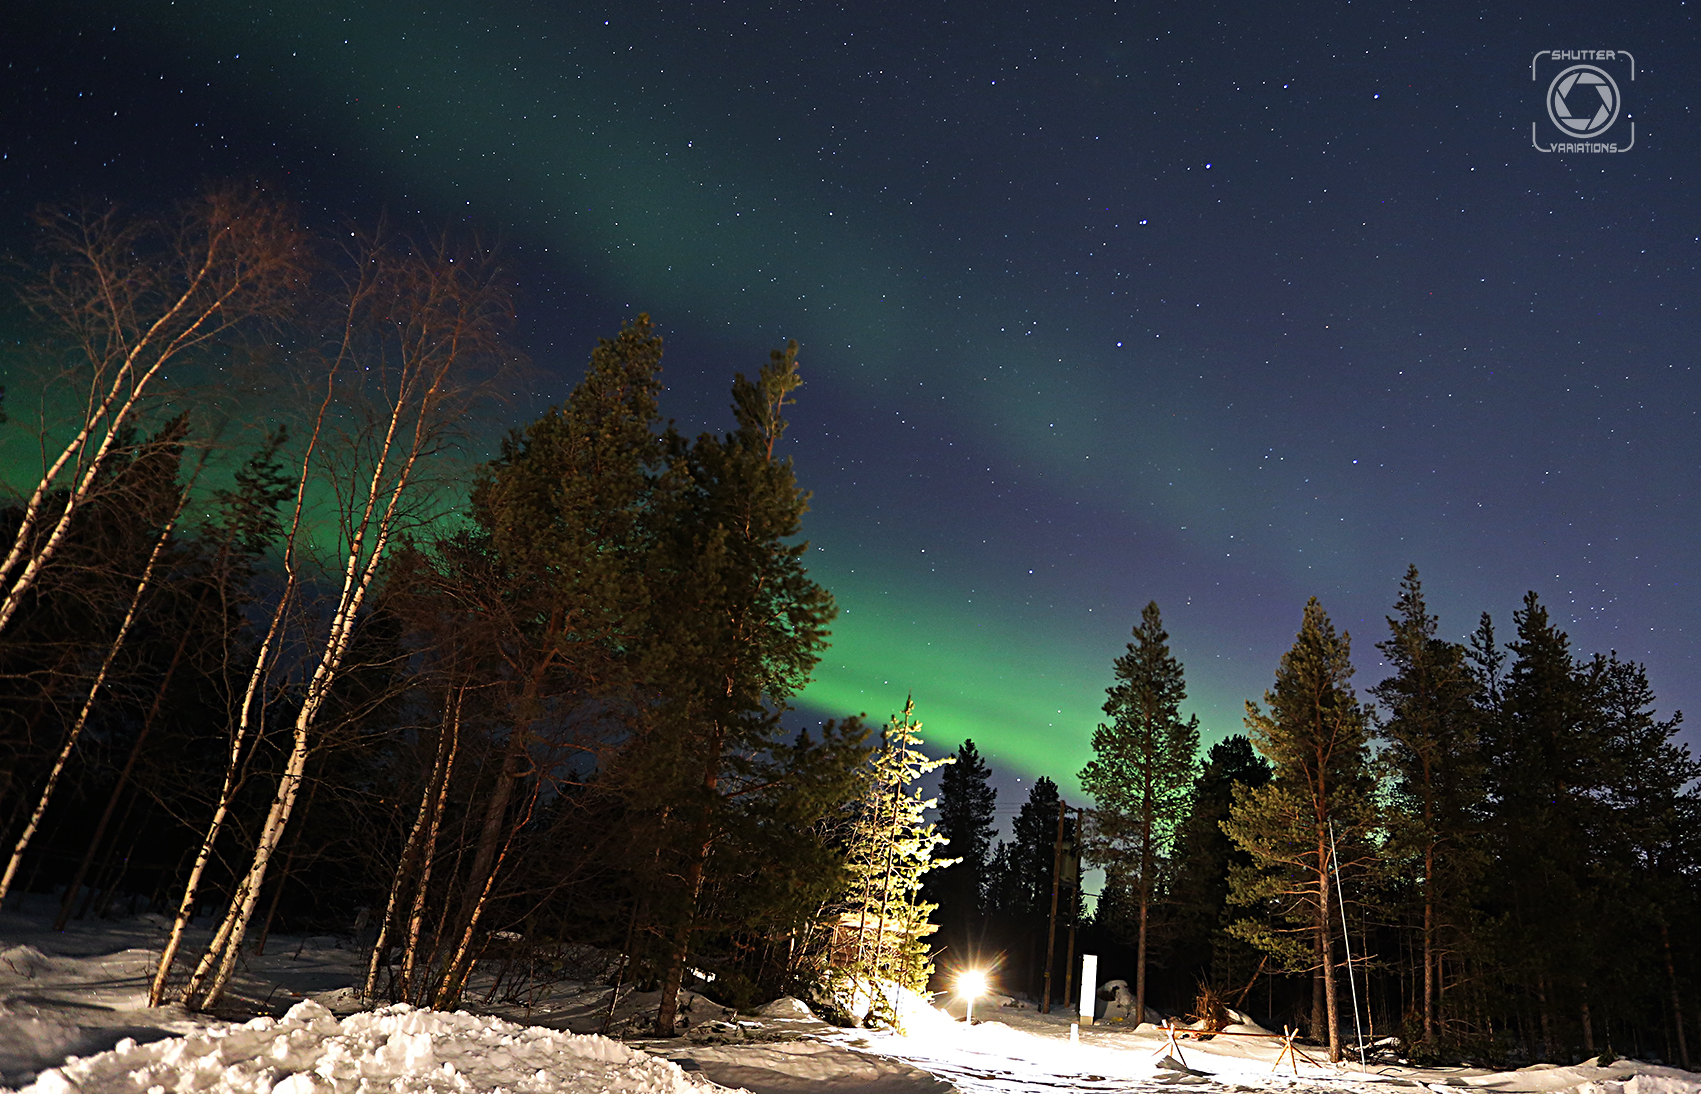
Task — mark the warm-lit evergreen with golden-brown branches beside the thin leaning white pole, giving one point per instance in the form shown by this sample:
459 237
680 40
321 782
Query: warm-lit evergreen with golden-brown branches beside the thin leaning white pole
1314 731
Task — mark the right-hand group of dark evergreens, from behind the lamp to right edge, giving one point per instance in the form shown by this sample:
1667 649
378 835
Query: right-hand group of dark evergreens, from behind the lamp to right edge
1506 838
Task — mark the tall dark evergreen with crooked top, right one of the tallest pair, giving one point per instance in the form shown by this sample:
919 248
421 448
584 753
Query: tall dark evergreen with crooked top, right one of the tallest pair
737 630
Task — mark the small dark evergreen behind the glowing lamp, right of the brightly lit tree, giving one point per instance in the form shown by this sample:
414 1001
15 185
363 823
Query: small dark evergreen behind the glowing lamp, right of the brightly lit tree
967 802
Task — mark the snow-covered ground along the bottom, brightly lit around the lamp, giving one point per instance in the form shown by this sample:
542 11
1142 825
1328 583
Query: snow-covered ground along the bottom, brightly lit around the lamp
74 1018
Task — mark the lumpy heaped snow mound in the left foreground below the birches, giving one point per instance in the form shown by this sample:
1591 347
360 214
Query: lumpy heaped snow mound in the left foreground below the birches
399 1051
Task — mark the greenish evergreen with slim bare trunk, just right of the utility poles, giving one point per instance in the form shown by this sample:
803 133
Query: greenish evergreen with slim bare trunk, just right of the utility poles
1142 772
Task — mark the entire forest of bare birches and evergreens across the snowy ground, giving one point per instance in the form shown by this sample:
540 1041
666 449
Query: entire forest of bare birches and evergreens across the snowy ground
317 668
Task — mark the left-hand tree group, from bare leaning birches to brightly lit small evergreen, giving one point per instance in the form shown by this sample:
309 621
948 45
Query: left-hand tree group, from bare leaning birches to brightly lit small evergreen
516 717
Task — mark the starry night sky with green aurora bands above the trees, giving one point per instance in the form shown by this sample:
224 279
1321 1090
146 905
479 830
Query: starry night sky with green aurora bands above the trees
1222 305
